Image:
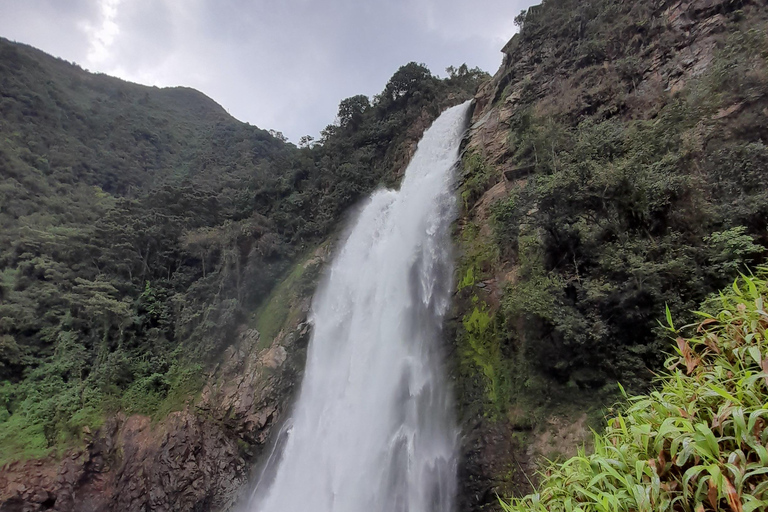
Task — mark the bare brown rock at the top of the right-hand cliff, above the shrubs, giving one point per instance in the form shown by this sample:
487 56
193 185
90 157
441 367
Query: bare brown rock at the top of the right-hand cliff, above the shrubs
676 43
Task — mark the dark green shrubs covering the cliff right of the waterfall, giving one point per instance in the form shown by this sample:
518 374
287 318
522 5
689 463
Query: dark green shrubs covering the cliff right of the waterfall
630 197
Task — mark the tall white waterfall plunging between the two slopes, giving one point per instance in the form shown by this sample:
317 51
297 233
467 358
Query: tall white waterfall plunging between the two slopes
372 429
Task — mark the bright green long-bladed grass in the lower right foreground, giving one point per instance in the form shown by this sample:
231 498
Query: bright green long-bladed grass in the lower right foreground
697 442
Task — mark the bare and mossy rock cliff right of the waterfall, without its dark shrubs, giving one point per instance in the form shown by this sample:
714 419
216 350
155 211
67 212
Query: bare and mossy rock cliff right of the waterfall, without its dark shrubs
565 69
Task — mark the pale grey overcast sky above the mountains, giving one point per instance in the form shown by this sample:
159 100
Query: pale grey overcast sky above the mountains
277 64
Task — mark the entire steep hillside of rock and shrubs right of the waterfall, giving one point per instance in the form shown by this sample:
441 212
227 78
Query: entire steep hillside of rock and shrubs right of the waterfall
617 163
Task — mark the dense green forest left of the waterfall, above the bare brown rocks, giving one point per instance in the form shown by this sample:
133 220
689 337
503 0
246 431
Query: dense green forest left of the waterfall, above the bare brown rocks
139 226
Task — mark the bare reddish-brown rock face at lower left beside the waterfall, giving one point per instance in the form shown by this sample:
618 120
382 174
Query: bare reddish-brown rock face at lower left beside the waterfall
199 458
